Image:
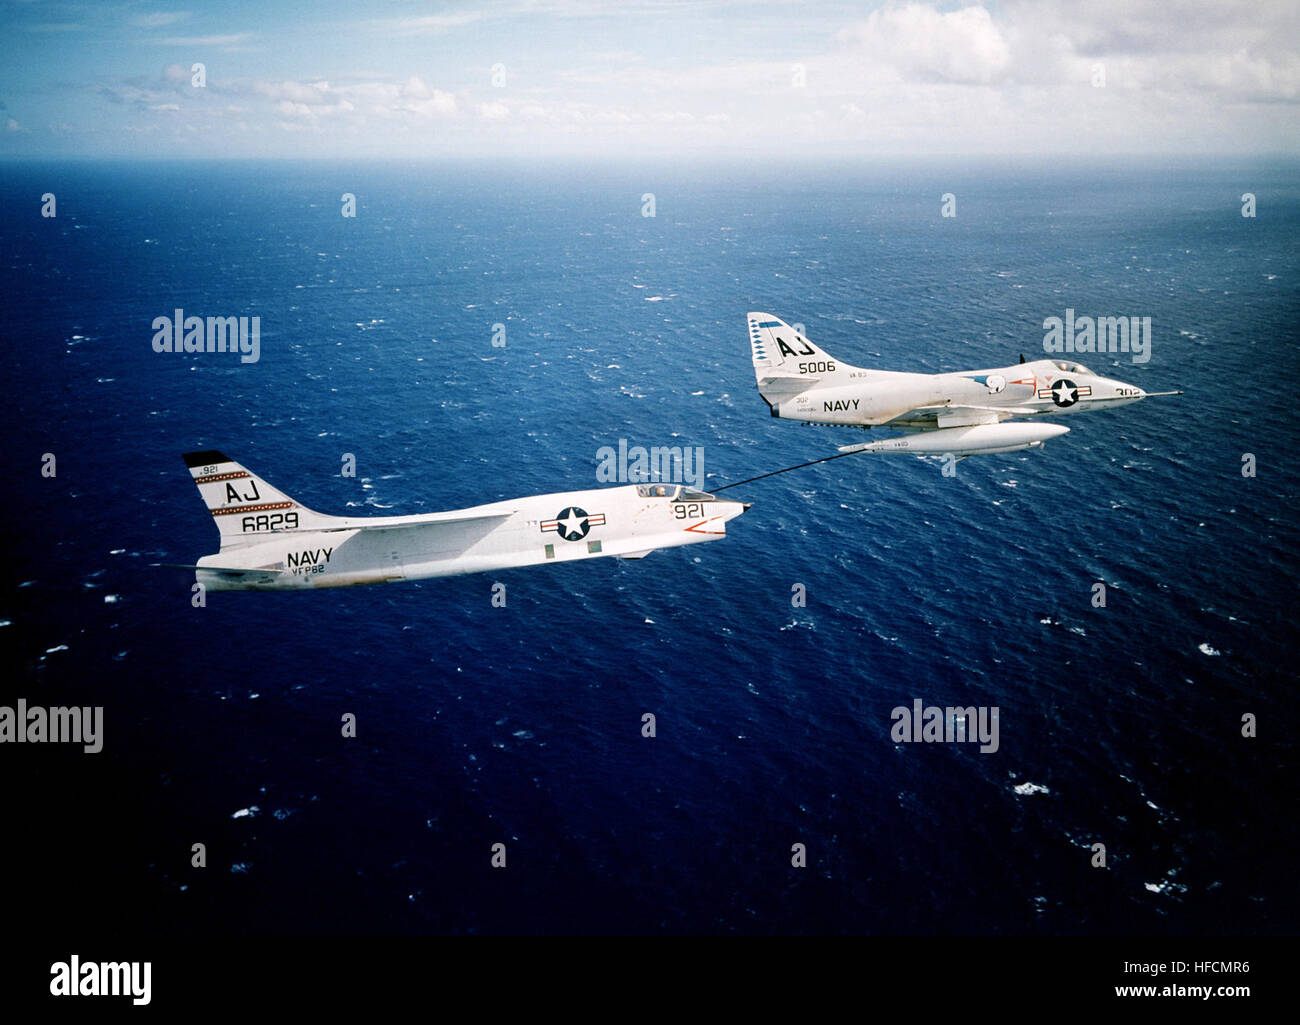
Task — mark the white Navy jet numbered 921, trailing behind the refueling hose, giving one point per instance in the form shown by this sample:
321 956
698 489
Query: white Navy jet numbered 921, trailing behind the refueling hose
272 543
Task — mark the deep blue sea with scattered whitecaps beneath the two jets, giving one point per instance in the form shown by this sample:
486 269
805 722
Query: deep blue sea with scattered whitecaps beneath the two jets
480 725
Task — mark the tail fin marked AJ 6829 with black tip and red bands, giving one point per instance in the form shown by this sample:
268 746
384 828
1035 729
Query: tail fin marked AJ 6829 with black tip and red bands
246 508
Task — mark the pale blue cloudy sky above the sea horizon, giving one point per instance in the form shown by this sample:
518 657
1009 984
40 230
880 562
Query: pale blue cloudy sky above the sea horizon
535 79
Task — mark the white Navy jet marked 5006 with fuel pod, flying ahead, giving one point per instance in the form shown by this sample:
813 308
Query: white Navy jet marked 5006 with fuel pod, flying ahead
959 414
